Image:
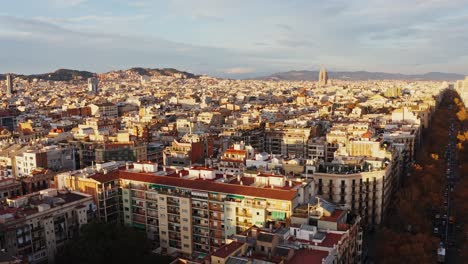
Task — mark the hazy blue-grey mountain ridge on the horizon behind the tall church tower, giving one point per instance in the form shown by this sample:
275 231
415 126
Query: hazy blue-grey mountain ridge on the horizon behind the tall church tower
362 75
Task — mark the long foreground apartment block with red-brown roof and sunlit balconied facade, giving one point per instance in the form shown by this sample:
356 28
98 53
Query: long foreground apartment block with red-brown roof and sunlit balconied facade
193 211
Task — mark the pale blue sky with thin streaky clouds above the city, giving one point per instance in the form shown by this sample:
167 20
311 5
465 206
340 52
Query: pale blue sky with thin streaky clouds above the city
236 38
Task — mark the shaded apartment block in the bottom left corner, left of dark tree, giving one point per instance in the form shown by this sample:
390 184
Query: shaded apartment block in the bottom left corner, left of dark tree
35 226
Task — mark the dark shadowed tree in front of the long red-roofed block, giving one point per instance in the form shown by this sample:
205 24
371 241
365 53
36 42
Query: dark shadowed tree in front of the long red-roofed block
108 243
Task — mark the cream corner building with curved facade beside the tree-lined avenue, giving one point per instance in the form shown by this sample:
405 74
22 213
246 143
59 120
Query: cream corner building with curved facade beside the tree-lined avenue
363 185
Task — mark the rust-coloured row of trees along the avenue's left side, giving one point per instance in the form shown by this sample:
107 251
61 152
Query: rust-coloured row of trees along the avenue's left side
407 233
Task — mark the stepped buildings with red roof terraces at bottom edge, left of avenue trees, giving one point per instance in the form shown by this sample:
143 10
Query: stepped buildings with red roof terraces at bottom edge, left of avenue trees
319 233
